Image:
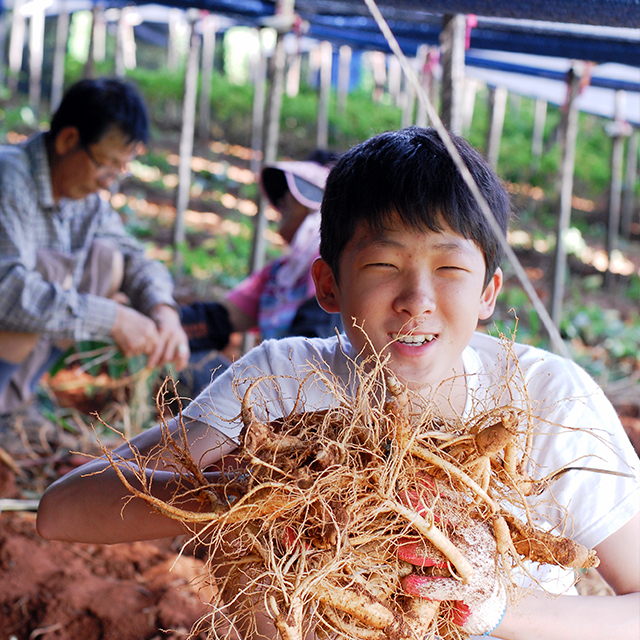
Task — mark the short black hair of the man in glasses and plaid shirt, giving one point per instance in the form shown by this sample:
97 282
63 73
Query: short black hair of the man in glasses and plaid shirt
94 106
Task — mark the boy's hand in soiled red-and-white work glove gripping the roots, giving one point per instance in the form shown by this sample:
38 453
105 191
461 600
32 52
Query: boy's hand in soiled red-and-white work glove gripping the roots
479 604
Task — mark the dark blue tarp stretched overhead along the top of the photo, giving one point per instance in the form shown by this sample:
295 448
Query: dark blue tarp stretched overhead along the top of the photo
416 22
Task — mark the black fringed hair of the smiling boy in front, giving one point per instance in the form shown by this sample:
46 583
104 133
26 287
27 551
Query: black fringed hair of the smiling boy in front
409 173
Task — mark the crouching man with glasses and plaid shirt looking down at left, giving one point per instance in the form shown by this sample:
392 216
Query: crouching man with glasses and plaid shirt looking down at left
64 252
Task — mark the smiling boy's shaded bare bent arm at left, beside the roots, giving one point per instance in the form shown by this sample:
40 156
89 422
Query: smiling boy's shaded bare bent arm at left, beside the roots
90 504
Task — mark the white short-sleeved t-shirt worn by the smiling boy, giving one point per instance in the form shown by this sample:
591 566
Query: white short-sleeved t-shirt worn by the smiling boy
578 427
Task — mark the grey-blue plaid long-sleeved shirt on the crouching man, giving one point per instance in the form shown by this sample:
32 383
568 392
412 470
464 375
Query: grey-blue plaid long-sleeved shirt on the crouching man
31 220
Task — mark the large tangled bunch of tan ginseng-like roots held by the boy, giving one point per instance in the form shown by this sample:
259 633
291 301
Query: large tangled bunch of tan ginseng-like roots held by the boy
310 521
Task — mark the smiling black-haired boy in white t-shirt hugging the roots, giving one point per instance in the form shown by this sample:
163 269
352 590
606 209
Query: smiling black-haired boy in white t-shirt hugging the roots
408 257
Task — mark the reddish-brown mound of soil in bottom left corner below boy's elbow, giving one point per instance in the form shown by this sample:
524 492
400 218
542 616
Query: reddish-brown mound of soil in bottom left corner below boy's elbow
60 591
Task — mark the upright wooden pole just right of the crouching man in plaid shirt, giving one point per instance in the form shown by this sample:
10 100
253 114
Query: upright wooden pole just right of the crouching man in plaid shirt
186 147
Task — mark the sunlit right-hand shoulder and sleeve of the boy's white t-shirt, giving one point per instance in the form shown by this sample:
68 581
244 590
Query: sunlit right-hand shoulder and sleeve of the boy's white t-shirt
575 428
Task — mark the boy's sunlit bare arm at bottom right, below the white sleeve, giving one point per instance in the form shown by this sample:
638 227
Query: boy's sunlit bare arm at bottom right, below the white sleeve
539 617
